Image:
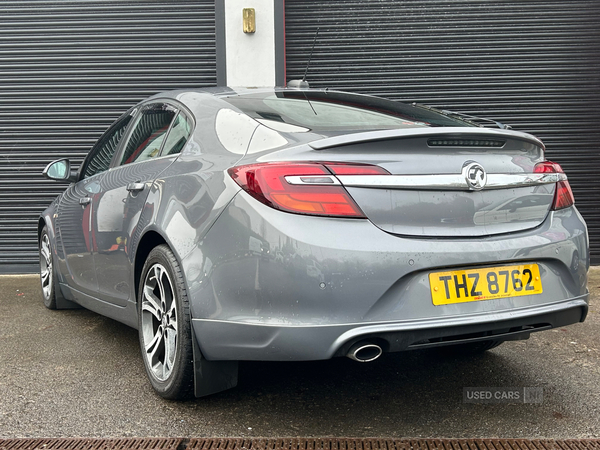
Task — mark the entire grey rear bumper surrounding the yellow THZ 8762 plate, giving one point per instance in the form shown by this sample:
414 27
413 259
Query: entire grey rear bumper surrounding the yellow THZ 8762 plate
266 285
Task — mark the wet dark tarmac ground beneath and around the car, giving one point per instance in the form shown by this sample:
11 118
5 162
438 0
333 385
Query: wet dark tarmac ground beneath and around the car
77 374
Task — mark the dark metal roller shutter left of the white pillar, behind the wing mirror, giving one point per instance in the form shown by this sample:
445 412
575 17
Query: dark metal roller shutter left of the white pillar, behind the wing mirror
67 70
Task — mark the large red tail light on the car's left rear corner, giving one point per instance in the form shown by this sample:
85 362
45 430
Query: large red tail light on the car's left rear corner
303 188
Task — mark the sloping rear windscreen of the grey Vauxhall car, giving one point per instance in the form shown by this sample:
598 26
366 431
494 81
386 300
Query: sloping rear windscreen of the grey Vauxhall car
298 111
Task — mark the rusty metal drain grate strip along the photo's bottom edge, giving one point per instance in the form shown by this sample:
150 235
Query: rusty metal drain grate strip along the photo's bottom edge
298 444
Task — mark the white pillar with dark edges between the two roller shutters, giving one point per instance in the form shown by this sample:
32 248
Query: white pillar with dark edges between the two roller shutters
250 59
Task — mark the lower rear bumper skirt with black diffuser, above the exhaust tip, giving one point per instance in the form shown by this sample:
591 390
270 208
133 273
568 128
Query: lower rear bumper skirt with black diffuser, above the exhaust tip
230 340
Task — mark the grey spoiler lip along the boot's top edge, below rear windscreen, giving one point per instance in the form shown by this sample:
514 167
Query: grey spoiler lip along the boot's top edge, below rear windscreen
454 132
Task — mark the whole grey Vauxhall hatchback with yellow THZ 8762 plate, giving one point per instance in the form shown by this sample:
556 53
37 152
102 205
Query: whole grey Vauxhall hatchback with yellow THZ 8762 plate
304 224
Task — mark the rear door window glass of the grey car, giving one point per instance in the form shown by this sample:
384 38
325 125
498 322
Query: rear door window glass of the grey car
149 133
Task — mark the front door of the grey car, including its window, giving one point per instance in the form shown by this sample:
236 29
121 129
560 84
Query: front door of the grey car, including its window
75 210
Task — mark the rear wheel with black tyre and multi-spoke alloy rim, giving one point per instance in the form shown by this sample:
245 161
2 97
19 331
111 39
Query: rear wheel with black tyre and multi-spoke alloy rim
165 327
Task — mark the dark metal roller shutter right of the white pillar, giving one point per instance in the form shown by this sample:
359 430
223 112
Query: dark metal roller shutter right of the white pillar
532 64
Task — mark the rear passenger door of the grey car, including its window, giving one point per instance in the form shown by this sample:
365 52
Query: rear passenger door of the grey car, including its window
151 146
